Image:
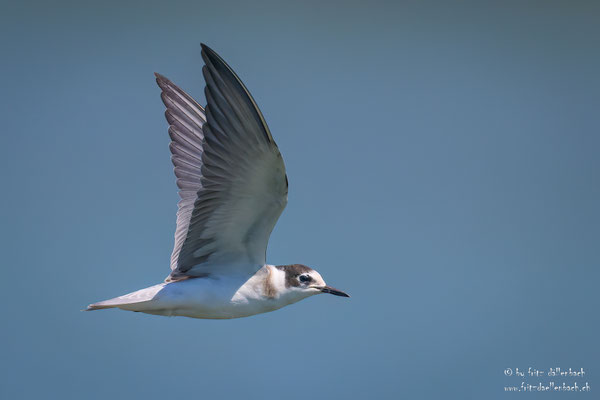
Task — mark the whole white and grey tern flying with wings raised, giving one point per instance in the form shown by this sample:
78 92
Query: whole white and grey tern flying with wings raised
233 187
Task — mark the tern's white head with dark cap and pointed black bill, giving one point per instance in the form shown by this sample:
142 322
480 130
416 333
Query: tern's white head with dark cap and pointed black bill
304 281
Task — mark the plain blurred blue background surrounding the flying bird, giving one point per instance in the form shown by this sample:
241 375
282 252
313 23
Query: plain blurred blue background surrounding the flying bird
443 166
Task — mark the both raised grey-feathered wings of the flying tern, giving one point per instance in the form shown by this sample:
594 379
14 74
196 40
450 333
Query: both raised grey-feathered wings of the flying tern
230 175
